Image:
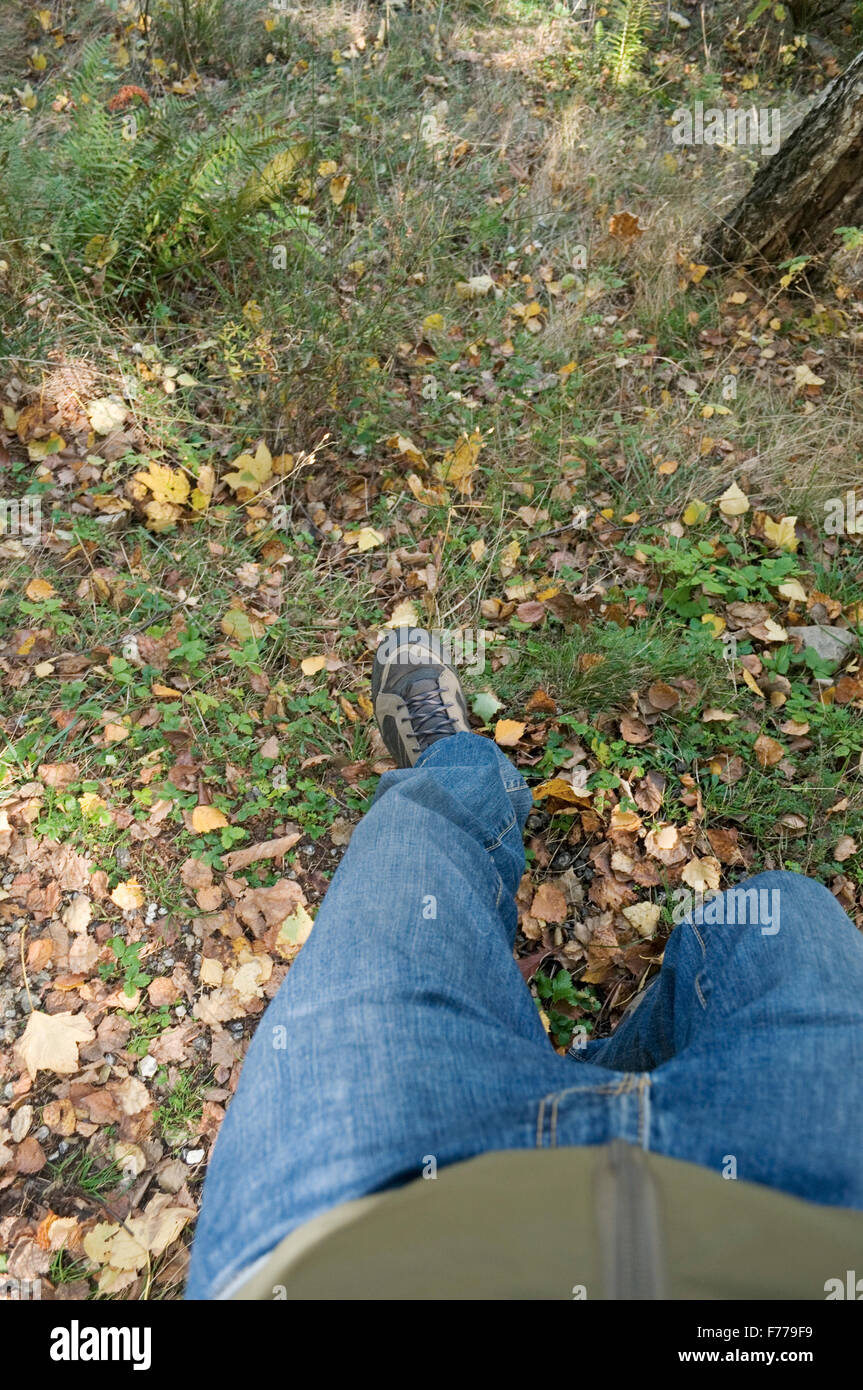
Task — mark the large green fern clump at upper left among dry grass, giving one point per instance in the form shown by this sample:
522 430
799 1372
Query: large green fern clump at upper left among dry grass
142 209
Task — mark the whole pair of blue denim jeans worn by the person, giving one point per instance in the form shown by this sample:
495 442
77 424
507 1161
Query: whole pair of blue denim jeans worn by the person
405 1031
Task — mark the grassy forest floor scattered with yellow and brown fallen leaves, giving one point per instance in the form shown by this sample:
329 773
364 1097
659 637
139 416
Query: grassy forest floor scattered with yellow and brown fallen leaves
324 318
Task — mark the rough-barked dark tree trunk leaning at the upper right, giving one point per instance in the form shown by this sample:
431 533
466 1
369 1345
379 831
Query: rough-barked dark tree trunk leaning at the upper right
809 188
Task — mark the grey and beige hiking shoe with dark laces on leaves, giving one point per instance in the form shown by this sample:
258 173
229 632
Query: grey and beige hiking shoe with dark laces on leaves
416 696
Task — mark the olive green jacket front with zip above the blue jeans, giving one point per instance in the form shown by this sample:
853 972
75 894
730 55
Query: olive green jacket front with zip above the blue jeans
602 1223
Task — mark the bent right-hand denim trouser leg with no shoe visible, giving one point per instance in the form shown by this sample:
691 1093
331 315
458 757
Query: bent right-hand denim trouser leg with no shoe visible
754 1039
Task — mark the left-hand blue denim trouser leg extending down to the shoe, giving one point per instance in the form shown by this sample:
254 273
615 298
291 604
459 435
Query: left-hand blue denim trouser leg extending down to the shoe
408 1029
